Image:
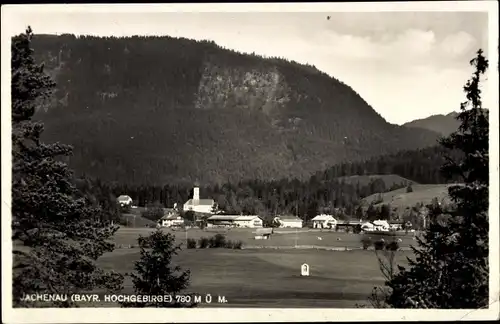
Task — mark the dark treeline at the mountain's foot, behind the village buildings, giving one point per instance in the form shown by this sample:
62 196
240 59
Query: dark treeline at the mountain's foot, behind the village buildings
333 191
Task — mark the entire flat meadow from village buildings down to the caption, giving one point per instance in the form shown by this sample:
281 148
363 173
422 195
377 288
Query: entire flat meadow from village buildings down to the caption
267 277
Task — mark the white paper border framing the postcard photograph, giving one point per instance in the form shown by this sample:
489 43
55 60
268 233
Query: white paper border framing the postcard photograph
105 315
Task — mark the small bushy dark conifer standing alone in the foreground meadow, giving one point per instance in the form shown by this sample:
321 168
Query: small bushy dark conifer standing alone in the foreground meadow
155 274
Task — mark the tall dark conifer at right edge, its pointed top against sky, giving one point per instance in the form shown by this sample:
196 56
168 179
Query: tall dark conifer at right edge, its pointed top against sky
450 269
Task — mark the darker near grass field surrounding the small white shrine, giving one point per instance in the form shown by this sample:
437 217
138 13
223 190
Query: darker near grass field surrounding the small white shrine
269 278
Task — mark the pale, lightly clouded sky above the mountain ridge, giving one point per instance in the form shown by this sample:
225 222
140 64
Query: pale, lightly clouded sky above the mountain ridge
406 65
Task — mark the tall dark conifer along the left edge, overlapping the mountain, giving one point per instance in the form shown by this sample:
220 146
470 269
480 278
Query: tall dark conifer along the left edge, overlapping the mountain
57 234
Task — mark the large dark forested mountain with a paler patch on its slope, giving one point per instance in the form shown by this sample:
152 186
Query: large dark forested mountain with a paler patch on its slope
164 110
